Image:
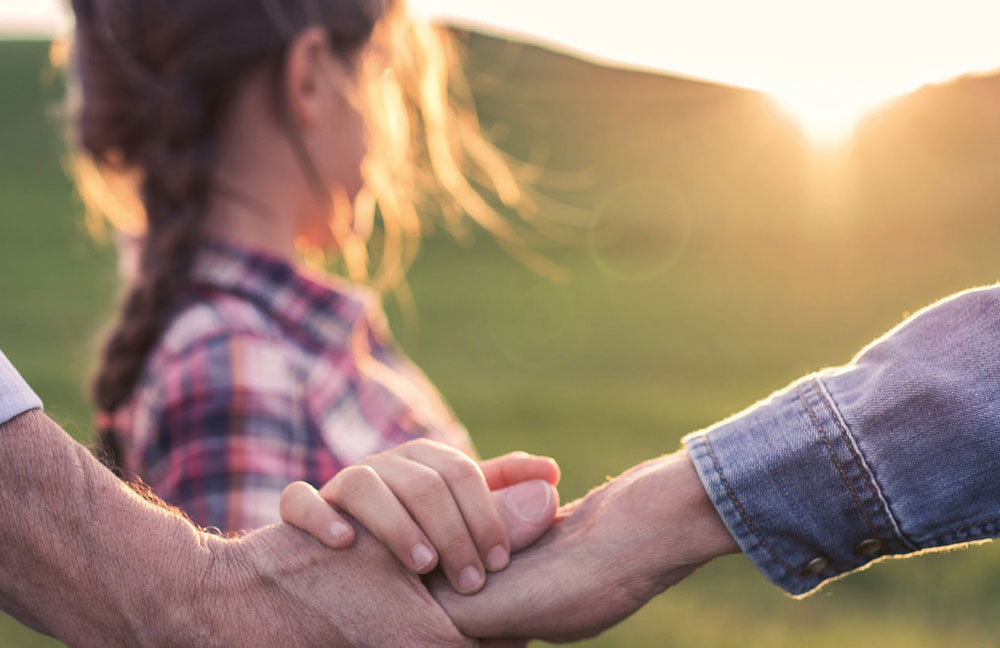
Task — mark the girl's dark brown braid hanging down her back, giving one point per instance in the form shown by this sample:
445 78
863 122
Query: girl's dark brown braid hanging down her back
174 191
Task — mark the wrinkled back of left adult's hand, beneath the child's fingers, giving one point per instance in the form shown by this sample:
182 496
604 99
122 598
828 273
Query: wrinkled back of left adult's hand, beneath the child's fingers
358 597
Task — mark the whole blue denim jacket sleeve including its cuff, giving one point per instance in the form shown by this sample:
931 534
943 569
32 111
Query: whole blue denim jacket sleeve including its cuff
896 452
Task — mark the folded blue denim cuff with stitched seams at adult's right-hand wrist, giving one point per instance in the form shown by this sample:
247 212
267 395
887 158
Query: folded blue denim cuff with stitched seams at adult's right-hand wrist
793 488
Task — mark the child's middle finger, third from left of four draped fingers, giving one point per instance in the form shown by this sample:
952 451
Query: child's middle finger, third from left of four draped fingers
426 496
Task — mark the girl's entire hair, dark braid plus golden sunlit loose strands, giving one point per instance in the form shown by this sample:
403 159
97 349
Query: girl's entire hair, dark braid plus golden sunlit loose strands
150 80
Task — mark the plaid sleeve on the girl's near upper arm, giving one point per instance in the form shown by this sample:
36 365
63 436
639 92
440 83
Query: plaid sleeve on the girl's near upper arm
220 431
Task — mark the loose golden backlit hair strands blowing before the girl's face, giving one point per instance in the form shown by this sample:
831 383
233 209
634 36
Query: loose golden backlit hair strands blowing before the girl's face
428 156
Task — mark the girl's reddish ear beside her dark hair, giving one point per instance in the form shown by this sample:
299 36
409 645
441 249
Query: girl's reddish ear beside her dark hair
305 66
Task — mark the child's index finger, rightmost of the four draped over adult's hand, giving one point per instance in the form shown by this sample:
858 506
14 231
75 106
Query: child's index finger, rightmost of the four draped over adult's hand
472 495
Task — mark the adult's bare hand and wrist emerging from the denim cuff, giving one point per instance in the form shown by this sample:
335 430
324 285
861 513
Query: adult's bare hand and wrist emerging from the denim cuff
606 556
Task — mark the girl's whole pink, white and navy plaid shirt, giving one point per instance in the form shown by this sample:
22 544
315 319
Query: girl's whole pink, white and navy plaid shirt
265 377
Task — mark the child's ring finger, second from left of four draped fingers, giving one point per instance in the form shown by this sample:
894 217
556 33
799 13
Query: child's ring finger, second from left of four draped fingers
361 491
